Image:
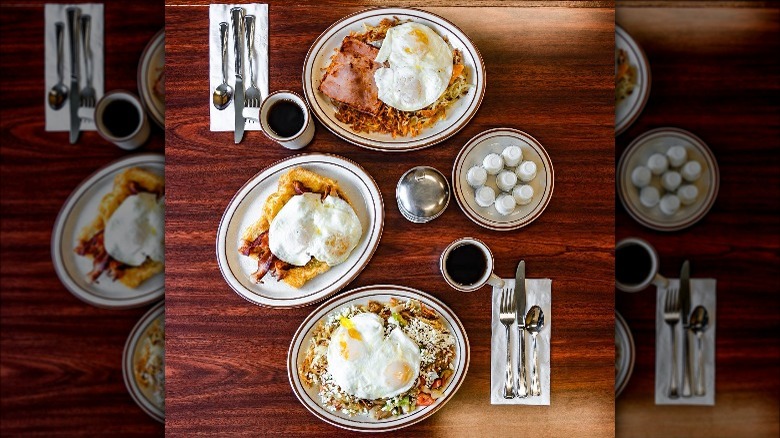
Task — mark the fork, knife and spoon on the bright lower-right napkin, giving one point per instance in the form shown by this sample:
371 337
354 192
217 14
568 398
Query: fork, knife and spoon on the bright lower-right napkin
511 310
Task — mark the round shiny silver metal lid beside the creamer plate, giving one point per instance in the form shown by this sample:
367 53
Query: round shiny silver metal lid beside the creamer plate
423 194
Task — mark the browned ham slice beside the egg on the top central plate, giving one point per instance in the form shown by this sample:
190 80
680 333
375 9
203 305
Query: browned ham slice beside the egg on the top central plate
350 76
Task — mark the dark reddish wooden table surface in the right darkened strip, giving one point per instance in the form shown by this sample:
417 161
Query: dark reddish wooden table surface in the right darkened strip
713 73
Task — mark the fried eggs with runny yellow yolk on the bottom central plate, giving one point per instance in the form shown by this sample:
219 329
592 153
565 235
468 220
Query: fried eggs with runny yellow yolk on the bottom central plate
368 365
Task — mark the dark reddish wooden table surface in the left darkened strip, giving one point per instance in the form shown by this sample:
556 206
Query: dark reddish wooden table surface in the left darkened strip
61 358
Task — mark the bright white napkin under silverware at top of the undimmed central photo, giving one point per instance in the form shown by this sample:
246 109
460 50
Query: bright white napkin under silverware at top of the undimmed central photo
224 120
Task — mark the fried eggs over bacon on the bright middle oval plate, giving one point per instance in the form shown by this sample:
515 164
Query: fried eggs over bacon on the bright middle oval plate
308 226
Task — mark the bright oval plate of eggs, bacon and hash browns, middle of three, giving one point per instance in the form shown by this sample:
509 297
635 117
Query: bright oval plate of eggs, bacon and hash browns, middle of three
320 242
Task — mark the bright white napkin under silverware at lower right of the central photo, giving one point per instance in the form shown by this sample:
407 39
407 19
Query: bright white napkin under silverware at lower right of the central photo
538 293
